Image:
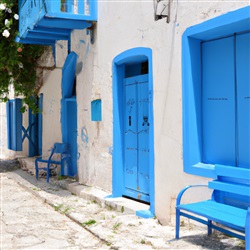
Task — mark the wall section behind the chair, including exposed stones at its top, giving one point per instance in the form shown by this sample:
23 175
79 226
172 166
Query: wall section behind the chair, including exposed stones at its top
52 94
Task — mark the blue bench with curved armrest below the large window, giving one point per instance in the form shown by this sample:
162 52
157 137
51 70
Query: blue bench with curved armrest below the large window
228 210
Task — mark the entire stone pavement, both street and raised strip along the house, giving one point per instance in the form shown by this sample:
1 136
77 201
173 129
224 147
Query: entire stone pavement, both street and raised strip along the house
39 215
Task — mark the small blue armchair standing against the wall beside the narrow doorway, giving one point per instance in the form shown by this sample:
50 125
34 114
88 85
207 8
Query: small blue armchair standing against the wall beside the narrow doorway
59 148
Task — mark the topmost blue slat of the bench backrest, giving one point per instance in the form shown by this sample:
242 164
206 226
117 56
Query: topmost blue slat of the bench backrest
235 172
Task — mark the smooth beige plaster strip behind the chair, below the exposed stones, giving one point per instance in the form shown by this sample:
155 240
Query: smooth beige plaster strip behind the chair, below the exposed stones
51 90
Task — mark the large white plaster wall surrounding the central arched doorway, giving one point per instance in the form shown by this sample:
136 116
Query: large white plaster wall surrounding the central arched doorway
121 26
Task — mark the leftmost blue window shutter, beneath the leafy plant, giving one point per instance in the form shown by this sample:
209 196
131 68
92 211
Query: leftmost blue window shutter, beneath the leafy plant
14 124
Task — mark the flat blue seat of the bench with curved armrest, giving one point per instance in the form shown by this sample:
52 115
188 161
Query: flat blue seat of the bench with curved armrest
224 214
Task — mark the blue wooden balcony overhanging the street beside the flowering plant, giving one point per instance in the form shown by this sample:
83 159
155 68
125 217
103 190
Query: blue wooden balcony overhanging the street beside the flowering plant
45 21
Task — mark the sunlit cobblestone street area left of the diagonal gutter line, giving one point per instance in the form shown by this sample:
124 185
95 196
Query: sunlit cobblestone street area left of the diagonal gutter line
29 223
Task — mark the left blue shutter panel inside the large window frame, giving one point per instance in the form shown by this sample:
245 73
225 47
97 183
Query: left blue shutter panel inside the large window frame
218 104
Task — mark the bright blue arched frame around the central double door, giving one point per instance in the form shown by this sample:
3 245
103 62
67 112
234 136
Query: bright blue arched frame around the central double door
132 56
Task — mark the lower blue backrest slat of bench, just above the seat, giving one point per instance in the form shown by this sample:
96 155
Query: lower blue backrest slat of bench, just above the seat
230 187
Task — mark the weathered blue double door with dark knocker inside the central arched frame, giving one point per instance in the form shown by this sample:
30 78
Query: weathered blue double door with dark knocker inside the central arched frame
136 137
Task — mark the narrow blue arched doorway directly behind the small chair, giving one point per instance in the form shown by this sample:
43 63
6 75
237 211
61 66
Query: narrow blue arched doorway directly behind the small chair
69 112
